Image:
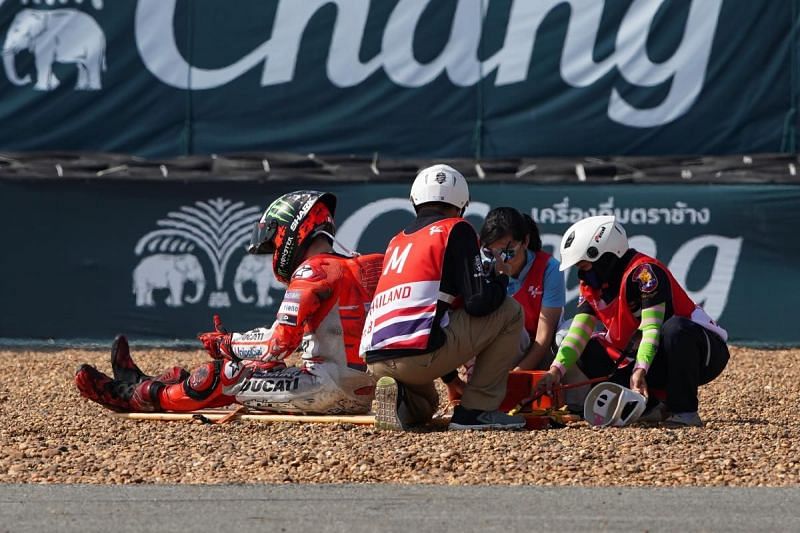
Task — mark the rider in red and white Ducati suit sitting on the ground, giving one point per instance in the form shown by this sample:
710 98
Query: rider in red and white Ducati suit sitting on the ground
322 313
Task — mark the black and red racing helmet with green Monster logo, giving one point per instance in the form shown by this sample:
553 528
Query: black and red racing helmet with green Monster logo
288 226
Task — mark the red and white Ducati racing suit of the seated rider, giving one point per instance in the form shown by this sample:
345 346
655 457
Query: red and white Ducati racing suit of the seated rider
322 313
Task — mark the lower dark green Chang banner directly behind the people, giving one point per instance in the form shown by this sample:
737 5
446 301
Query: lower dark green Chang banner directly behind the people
157 259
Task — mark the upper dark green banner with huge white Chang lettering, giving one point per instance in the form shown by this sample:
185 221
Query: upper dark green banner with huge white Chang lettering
415 78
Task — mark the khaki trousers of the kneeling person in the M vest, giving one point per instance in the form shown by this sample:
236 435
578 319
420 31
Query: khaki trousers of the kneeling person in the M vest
493 341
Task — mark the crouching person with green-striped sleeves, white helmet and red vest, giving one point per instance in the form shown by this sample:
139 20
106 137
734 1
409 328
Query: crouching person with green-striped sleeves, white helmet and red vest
655 335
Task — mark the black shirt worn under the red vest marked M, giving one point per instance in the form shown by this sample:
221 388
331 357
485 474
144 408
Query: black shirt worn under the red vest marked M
462 275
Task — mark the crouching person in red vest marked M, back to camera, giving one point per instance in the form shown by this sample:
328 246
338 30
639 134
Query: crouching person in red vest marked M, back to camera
434 310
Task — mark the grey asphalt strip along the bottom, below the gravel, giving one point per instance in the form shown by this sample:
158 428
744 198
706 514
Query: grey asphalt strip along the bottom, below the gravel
387 507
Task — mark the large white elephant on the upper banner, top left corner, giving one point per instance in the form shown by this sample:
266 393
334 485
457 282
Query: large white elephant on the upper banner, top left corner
56 36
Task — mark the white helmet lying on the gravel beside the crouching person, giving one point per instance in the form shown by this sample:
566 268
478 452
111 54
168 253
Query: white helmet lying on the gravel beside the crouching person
610 404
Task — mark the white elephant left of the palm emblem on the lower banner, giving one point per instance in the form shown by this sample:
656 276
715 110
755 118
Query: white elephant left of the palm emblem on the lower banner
168 271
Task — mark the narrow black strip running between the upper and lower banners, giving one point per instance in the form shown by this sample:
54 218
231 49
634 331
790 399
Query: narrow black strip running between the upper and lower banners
280 167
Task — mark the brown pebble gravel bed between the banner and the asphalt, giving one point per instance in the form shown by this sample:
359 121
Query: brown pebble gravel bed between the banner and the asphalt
50 434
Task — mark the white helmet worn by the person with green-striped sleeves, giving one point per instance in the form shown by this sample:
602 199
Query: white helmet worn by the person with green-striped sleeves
590 238
